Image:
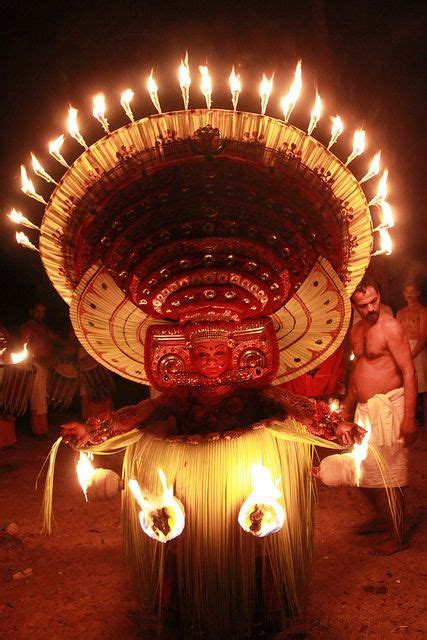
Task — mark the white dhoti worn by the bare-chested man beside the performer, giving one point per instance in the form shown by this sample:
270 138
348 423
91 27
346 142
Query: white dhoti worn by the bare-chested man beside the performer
385 413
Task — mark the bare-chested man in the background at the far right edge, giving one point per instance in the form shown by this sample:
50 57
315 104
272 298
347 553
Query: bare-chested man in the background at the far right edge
413 319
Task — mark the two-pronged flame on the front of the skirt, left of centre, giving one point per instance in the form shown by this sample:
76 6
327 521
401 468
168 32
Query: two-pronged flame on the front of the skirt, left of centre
161 518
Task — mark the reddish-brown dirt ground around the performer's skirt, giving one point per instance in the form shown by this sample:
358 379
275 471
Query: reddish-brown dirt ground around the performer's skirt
78 587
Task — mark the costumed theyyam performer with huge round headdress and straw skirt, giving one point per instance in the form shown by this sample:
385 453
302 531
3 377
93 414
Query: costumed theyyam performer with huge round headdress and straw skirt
211 254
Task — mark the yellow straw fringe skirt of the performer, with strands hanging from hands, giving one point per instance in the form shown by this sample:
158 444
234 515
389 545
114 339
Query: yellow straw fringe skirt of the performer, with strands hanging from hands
219 578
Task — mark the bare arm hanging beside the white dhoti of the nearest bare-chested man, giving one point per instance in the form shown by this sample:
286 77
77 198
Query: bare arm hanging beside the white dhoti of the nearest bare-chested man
398 346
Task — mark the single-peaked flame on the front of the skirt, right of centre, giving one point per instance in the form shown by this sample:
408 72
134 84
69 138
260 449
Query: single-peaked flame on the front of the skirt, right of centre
261 514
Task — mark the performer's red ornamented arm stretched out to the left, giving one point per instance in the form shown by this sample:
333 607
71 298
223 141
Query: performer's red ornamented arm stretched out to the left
110 424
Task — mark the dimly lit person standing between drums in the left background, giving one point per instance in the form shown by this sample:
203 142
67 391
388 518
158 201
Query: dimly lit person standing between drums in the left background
41 343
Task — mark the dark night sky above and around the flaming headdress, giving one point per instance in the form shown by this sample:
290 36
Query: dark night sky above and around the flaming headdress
367 58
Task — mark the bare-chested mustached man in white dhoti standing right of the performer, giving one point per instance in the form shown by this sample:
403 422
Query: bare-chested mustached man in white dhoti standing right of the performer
383 386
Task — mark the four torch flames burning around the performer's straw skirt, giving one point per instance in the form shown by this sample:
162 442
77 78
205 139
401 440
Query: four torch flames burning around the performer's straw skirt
163 517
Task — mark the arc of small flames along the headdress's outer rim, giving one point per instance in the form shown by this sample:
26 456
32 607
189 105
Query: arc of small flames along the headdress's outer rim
287 102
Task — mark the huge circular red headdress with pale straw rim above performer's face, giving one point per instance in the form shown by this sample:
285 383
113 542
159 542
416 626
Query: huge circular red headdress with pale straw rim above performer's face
207 215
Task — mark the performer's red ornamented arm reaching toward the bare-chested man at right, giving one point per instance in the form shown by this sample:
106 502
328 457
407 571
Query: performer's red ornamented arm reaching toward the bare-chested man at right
315 415
